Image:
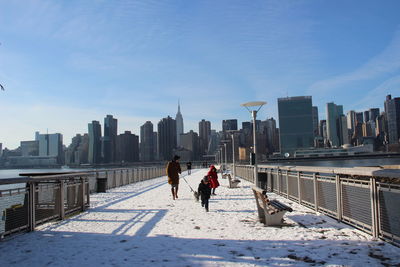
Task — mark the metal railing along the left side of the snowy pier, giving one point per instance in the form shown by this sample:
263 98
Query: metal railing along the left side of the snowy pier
30 201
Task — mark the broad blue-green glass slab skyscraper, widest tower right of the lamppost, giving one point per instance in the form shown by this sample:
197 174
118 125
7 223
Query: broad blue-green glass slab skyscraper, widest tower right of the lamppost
295 123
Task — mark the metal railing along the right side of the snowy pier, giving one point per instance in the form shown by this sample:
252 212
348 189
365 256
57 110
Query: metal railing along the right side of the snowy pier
367 198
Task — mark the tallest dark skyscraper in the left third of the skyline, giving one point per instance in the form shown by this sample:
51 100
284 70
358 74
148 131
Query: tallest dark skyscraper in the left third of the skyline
109 146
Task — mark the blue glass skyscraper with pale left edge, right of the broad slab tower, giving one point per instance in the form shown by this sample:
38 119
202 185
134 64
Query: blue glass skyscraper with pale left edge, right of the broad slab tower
334 124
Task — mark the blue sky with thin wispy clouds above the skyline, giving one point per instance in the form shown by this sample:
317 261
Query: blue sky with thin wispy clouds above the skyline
66 63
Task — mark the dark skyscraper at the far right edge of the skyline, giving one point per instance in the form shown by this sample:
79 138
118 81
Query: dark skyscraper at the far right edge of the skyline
392 110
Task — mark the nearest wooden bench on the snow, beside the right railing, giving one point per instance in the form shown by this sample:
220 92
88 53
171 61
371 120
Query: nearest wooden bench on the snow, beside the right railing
270 212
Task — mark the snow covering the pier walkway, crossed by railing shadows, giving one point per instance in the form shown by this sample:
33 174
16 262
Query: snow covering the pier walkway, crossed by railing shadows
140 225
